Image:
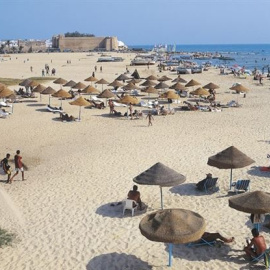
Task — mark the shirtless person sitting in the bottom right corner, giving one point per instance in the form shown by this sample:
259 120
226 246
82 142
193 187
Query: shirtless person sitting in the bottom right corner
256 246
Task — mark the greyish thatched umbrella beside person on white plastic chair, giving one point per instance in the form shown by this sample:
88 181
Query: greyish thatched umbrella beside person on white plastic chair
160 175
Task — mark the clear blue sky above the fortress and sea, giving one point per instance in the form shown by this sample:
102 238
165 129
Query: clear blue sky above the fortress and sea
140 22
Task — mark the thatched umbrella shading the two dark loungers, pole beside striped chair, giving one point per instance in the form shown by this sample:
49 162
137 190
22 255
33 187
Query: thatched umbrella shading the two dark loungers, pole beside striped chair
230 158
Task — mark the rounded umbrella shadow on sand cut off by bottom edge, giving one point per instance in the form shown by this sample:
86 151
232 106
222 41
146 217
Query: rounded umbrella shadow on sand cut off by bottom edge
117 261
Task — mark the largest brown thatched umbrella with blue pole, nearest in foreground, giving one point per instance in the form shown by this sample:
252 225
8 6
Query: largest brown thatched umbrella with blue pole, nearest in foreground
173 226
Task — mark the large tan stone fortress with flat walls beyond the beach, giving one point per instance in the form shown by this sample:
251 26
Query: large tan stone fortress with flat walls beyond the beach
63 43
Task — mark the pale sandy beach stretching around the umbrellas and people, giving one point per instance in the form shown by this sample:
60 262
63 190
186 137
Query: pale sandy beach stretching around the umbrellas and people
62 213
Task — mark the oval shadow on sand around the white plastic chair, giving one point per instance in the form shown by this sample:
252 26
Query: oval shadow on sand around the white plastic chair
115 210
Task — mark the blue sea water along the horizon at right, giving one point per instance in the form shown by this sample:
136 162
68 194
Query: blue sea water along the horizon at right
248 55
